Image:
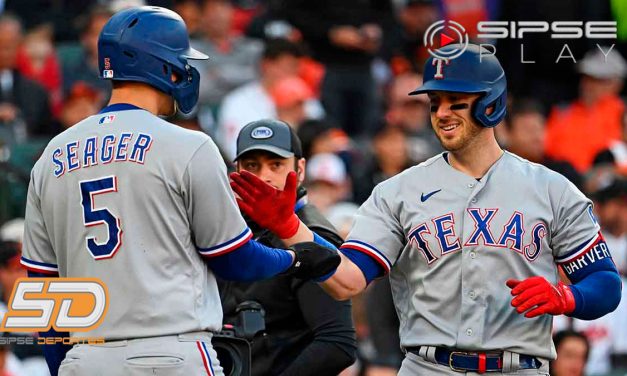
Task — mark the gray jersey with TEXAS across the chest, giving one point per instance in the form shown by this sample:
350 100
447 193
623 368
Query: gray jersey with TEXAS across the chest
450 242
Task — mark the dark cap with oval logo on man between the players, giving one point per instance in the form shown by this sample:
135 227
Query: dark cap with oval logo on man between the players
270 135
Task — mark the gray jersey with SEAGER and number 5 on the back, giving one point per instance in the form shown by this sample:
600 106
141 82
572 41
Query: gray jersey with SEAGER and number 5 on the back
135 201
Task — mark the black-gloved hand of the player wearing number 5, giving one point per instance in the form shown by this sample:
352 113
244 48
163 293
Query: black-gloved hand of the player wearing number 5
312 260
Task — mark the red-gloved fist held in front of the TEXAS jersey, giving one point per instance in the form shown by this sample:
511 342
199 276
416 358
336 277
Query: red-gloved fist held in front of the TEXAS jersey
538 296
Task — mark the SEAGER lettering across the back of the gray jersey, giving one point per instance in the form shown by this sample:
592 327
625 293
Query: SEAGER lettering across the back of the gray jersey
94 150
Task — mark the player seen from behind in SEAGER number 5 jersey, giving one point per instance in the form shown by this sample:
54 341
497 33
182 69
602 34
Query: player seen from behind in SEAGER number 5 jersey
145 206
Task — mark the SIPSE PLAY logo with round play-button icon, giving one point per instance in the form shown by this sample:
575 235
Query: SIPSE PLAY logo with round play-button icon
443 33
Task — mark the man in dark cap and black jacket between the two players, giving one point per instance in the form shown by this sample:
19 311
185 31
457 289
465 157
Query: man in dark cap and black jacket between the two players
307 332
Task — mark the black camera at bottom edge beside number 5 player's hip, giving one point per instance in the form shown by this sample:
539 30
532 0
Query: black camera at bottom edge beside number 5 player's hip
233 343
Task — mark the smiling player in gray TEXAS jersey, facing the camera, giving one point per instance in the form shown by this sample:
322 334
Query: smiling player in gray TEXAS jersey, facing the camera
473 239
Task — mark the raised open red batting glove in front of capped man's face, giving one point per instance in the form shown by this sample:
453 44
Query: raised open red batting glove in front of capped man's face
269 207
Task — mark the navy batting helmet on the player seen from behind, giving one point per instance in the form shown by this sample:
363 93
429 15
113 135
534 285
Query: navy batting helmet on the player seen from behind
149 44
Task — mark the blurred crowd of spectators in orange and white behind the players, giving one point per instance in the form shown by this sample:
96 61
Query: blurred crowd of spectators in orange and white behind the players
339 73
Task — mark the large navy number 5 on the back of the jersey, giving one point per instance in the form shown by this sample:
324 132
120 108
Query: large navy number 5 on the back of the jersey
93 216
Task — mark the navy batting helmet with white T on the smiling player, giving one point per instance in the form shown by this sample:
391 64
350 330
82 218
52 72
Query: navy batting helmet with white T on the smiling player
474 71
